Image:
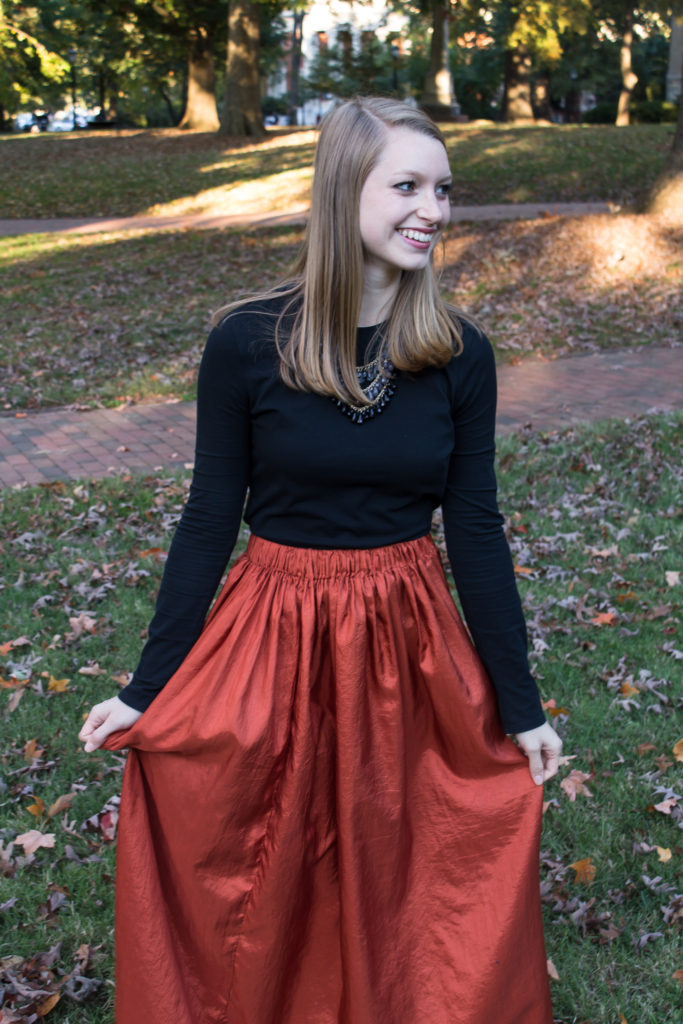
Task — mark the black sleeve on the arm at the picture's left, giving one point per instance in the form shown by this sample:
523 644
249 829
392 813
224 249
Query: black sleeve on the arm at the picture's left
210 522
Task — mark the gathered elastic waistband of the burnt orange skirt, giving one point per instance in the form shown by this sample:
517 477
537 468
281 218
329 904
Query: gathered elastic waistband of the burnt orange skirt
327 563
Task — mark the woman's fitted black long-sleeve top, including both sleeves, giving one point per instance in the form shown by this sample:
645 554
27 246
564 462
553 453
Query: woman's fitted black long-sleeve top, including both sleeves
317 480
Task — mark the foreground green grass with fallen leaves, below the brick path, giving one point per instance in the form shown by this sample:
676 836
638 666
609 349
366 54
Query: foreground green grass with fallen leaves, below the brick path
592 517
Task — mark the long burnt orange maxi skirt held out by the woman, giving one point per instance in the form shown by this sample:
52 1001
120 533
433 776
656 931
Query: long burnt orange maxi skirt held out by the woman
322 821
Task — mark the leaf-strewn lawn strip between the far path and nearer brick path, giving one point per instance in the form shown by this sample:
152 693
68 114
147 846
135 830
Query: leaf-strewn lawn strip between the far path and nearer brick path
92 321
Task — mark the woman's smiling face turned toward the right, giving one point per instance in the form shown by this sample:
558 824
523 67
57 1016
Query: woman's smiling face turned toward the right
405 203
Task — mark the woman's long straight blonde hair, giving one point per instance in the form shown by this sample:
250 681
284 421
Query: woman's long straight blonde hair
318 352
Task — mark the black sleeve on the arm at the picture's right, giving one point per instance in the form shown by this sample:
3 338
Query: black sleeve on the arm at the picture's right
476 540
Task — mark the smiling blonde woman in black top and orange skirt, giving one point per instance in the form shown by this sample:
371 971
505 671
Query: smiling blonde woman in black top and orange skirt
323 820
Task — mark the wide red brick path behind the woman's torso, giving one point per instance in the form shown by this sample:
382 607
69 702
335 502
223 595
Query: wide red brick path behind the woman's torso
39 448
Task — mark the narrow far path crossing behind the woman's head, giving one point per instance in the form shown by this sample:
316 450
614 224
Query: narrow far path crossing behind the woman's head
91 226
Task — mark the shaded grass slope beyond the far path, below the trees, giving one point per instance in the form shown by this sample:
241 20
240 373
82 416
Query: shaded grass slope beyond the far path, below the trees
133 173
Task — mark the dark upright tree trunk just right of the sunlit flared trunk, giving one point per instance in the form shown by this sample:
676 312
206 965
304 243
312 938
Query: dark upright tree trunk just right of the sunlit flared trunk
242 107
